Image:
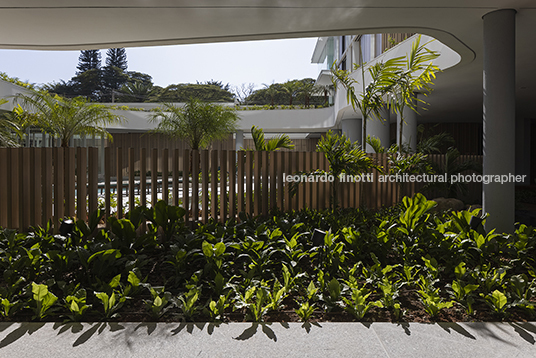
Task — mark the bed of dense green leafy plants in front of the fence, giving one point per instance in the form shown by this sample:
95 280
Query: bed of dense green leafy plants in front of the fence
400 264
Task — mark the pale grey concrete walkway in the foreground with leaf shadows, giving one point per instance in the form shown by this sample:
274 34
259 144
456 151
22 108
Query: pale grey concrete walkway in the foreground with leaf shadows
125 340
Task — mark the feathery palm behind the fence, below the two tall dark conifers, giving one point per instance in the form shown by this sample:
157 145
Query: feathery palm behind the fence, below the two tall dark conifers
65 117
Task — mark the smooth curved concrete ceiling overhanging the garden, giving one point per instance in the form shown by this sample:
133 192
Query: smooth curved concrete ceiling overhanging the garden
91 24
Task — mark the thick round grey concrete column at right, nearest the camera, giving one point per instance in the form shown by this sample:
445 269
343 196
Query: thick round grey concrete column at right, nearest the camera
499 117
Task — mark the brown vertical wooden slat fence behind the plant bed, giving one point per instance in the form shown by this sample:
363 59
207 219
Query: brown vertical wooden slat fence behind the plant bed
210 184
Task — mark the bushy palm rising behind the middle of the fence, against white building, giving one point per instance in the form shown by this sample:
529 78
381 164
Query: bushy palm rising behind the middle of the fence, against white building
198 123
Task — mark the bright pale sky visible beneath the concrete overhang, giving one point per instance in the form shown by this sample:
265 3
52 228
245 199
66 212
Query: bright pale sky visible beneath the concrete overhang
235 63
